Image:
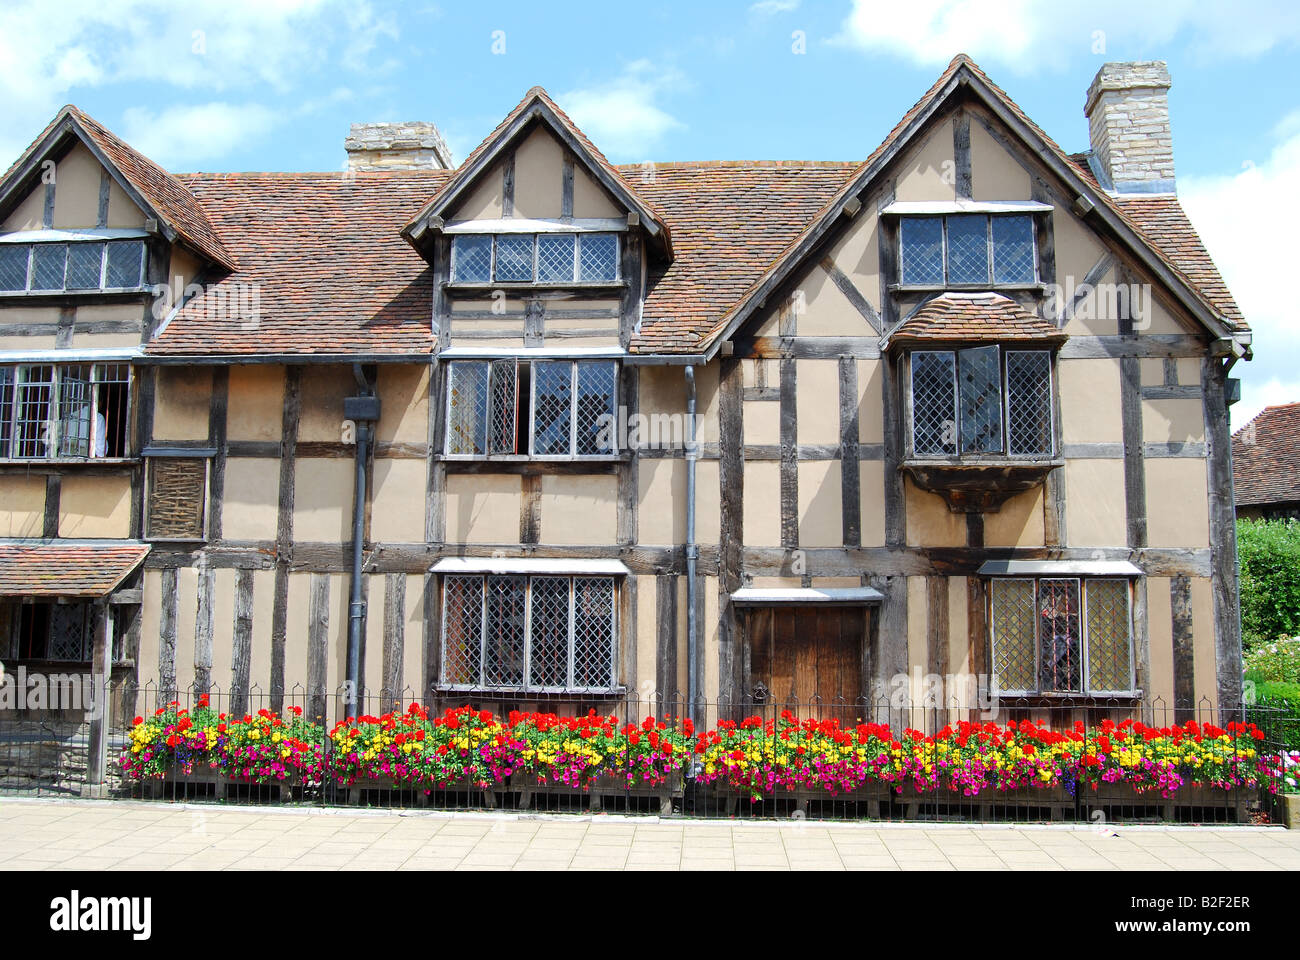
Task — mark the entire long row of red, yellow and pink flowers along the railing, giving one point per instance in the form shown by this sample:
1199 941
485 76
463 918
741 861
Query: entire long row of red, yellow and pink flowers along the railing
467 749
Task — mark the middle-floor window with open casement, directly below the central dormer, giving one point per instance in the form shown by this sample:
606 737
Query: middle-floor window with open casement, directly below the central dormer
545 409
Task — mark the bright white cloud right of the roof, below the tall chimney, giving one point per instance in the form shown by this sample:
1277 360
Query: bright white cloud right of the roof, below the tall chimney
1247 222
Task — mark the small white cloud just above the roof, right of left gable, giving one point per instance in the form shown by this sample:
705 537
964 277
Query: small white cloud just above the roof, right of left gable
181 137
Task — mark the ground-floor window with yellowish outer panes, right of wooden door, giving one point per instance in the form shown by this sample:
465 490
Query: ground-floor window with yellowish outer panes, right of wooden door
1061 635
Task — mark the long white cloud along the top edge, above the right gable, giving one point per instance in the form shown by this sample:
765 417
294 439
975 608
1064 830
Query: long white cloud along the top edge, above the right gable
1025 36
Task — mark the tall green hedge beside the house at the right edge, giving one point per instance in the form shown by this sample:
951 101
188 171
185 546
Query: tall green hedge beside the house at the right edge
1269 552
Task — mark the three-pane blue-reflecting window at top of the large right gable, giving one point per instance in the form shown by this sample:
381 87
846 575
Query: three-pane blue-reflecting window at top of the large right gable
968 250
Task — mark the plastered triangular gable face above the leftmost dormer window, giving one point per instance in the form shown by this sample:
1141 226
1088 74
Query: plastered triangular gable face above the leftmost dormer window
86 196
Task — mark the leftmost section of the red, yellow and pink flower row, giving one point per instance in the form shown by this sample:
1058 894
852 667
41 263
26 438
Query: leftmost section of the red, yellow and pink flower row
254 749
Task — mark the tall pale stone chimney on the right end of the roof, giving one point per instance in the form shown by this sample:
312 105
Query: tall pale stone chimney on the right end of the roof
1128 111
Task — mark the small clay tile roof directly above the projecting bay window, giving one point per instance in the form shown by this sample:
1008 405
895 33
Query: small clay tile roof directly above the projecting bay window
978 318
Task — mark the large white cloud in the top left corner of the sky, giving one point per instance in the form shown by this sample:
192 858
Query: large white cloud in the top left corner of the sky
51 54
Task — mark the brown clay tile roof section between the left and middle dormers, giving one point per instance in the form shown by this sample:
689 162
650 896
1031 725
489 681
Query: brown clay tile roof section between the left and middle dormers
322 267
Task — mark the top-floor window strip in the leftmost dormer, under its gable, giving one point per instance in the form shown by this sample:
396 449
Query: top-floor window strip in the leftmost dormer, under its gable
72 267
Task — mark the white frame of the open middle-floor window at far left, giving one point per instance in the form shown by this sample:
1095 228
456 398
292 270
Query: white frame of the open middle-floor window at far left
55 420
